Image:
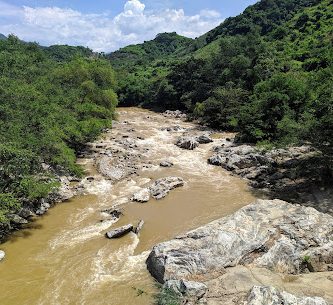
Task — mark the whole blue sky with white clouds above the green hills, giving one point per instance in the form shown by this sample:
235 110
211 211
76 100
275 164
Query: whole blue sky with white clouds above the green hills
107 25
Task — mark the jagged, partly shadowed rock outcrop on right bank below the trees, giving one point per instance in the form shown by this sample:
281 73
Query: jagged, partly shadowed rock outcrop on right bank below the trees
296 174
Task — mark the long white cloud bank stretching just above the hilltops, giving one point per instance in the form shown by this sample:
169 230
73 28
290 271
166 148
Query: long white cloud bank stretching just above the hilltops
101 32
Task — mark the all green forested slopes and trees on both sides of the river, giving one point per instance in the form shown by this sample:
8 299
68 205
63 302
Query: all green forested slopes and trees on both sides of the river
266 74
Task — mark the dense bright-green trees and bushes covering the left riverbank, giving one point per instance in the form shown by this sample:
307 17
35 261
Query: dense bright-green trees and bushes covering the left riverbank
52 101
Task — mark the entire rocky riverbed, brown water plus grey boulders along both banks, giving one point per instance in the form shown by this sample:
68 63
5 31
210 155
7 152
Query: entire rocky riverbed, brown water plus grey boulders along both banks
156 176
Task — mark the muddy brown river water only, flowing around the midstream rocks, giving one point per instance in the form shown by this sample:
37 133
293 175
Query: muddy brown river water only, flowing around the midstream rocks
64 258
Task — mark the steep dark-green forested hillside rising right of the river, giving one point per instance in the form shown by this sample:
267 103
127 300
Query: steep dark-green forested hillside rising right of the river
266 73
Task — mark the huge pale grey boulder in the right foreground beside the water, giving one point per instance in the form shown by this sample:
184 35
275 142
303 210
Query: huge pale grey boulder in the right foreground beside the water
269 234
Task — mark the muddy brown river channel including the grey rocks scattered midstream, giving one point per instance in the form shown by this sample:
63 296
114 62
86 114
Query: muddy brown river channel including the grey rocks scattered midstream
136 180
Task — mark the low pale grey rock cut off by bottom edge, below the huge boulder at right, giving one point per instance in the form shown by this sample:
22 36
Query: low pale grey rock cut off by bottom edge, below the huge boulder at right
263 295
